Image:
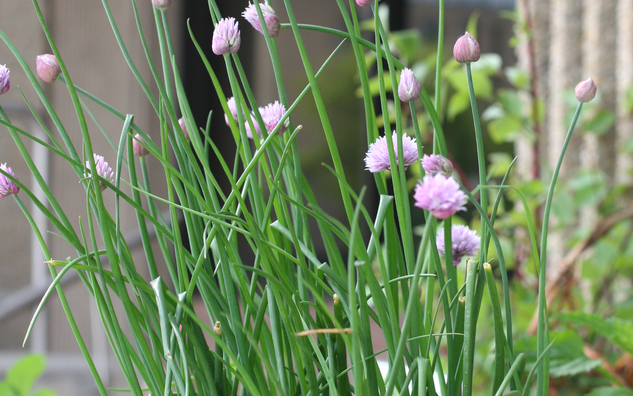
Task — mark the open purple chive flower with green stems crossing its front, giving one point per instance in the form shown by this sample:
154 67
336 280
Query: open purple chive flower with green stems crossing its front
377 158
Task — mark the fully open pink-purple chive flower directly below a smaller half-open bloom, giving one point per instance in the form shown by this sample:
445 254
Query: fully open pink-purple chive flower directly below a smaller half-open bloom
440 195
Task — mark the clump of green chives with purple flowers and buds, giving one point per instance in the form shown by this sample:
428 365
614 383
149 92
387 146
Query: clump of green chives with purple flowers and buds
282 320
